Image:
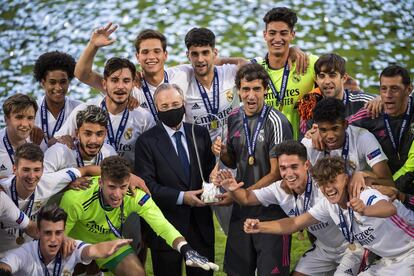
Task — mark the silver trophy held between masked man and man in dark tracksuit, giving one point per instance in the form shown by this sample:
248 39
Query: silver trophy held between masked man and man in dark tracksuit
209 189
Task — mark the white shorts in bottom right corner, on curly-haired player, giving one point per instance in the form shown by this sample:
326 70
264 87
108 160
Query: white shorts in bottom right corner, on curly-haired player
401 265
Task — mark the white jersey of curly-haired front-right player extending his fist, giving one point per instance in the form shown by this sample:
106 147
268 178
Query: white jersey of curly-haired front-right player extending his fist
387 237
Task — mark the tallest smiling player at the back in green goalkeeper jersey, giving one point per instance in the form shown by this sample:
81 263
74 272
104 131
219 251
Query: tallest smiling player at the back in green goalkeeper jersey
286 86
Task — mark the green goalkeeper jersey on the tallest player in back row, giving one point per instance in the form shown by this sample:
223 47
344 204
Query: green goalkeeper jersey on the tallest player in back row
297 87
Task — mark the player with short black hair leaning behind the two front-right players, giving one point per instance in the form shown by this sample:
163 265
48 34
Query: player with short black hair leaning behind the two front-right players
350 142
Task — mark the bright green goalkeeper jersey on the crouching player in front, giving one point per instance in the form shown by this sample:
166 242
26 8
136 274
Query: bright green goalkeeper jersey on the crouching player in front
87 221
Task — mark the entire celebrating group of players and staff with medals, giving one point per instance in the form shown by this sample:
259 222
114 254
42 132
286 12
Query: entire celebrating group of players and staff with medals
290 143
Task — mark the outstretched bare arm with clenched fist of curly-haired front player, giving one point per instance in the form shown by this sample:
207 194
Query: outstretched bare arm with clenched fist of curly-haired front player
281 226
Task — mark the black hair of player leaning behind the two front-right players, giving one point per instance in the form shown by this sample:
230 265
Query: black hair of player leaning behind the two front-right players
329 110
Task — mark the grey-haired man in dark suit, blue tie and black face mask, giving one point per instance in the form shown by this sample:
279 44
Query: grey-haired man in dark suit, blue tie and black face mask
165 158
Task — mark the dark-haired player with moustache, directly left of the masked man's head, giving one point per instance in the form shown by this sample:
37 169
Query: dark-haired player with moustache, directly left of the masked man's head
124 126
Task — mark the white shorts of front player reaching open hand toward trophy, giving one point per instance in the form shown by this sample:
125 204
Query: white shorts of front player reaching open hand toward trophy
322 261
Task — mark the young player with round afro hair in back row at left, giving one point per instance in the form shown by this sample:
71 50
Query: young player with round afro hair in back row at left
54 71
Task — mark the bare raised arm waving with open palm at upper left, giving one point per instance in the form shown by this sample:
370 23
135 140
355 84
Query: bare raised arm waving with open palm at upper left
83 70
